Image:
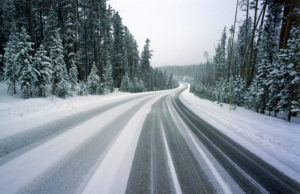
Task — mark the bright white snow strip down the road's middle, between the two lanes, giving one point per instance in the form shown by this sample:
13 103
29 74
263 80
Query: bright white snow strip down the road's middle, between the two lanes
115 168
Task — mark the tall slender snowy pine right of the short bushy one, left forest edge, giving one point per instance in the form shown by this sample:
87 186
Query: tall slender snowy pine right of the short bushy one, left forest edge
60 77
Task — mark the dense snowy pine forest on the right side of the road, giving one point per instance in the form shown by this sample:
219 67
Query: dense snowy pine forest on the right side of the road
256 64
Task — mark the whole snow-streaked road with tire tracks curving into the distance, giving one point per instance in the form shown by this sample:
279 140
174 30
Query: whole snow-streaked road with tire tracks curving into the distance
147 143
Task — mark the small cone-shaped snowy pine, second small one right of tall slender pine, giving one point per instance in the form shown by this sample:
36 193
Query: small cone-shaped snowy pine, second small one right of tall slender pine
93 84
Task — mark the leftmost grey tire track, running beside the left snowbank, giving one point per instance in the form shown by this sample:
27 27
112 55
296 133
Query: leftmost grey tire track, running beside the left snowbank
13 146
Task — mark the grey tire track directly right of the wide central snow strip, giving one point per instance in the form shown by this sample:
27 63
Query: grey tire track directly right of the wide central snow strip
150 170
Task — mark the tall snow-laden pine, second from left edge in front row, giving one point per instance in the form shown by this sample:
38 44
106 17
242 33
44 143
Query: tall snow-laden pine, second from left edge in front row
28 73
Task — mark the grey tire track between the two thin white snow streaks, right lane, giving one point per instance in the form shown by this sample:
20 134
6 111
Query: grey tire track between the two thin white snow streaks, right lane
192 177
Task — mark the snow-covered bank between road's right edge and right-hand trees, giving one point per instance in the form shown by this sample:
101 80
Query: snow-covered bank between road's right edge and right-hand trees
274 140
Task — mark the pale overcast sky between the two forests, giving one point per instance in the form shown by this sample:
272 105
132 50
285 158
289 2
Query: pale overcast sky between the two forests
179 30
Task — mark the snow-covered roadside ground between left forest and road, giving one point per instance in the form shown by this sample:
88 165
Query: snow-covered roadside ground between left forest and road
18 114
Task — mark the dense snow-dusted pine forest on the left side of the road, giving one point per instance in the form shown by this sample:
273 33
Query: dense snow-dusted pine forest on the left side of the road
69 47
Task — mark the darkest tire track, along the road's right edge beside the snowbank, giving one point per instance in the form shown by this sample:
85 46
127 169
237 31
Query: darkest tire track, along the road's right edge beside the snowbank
258 177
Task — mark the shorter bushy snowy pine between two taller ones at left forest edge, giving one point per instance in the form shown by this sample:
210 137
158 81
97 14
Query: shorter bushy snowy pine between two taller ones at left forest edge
44 68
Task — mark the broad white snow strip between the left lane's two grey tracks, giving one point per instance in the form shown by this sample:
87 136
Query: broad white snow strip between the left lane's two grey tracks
25 168
